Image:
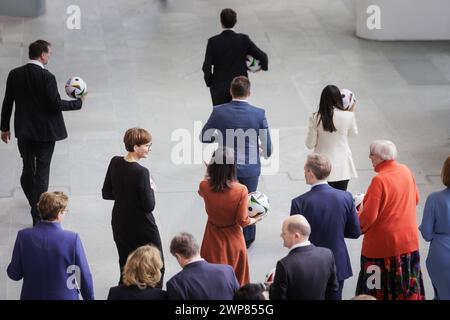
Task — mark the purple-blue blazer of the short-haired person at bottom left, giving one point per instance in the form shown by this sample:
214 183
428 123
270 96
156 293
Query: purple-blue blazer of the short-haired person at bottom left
48 258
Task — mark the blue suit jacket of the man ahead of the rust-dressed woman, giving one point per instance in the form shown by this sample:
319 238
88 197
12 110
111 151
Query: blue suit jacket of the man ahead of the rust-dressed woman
241 115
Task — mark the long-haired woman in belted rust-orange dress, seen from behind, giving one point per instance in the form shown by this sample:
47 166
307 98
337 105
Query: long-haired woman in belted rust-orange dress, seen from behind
227 207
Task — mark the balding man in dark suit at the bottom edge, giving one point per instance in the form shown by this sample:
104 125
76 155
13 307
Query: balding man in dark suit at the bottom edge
307 272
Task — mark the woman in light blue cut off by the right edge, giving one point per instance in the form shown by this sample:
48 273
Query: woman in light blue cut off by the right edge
435 228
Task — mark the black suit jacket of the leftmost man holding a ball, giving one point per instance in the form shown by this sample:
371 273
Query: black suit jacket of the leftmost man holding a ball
38 115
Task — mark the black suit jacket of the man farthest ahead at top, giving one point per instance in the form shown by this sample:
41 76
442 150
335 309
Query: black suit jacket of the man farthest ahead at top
227 52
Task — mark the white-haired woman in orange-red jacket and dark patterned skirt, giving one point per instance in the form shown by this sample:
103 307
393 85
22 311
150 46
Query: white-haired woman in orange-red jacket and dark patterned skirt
390 259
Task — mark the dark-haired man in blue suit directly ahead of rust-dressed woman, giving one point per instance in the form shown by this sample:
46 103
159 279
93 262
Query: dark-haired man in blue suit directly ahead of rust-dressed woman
244 128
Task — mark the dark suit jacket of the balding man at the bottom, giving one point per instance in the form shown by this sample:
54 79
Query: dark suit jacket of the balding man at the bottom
306 273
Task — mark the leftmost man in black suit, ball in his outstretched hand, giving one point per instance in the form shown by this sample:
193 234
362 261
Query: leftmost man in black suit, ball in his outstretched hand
38 120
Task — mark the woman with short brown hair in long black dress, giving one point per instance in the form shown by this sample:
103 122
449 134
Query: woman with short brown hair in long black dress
130 186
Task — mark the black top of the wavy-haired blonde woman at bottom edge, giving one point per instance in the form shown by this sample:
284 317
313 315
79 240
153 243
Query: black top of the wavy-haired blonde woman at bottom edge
123 292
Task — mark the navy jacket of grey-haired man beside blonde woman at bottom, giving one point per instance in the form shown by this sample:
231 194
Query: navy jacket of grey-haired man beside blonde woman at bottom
201 280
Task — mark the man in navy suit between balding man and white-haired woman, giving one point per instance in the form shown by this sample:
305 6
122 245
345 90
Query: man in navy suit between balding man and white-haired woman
331 214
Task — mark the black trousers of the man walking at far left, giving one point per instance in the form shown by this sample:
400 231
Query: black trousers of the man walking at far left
36 157
